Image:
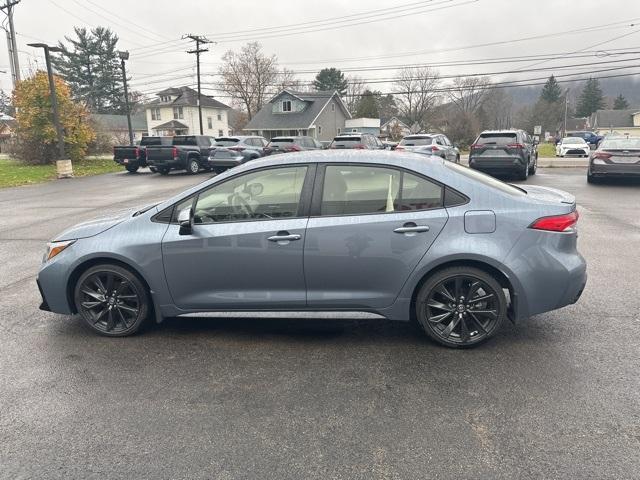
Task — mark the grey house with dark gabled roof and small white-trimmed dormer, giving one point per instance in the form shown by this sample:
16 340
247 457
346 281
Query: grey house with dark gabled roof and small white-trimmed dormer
320 115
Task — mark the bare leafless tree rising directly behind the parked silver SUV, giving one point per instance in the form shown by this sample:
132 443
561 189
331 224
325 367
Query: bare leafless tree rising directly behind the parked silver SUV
417 95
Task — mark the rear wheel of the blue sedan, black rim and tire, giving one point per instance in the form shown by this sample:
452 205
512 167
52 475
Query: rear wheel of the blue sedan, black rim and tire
437 302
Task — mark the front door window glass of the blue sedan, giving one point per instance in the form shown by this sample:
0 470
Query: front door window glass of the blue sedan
263 195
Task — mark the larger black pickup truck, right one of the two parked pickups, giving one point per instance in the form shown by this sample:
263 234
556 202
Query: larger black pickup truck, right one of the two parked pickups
186 152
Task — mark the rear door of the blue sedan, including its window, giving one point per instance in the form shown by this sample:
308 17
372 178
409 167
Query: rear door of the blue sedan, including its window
369 230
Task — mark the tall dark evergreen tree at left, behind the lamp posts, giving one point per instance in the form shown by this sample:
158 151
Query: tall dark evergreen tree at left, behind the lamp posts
90 65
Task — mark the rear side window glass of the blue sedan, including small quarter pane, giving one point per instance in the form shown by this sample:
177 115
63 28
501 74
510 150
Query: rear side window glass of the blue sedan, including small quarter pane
358 189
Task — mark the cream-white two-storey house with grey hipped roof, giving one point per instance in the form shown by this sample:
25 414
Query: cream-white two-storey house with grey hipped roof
175 112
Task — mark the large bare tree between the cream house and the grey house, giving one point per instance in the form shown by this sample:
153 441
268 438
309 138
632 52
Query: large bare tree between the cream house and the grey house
249 76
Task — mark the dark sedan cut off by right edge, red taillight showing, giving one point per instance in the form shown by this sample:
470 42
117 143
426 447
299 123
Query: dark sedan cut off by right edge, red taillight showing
615 157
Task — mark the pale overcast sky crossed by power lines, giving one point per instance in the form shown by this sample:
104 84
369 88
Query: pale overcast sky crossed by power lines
305 37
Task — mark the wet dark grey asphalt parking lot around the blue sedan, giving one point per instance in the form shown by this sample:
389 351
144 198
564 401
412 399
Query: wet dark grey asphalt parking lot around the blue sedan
287 398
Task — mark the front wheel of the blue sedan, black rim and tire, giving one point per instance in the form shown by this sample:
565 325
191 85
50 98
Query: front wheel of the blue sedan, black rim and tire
111 300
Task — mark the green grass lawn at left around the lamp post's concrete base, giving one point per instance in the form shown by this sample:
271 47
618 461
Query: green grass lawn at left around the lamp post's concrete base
14 173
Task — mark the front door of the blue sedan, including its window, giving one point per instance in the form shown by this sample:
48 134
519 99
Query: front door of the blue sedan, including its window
245 250
